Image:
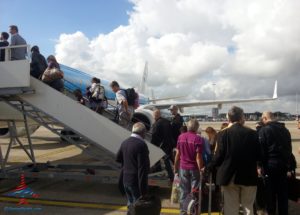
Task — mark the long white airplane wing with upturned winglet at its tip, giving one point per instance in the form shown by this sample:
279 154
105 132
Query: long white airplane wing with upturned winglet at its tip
214 102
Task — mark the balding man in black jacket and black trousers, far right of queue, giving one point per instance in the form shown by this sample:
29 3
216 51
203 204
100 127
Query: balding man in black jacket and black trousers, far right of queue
276 145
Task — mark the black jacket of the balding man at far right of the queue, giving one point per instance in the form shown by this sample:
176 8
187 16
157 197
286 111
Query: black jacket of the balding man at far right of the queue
276 145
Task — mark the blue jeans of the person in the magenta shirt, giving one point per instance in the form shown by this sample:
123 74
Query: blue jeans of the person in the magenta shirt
189 179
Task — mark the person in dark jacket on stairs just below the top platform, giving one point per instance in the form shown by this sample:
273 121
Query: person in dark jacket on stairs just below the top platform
38 63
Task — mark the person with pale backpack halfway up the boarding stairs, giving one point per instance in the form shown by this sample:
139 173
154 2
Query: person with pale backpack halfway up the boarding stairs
96 94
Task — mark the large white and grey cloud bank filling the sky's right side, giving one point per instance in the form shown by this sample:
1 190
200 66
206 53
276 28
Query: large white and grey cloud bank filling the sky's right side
242 47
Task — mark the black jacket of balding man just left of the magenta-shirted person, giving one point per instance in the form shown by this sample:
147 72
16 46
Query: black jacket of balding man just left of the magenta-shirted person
162 135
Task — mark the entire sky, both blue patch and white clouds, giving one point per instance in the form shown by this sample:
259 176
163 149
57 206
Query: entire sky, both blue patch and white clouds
223 49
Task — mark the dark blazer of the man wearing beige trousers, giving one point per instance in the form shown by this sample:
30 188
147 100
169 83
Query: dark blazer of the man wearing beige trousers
237 155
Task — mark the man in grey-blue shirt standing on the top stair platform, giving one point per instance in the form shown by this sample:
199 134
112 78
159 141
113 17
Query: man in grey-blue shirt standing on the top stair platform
16 40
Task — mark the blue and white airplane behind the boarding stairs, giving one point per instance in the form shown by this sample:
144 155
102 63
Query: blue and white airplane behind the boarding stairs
75 79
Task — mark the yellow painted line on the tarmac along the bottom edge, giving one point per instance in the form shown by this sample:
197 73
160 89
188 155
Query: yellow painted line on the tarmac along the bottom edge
86 205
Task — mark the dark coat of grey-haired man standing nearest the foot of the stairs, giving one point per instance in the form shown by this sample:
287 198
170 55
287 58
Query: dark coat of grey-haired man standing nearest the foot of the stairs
134 157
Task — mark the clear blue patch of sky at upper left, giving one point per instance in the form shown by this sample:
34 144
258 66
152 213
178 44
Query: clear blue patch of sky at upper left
41 22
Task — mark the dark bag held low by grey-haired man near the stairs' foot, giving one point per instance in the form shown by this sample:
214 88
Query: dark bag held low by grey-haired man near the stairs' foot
148 205
